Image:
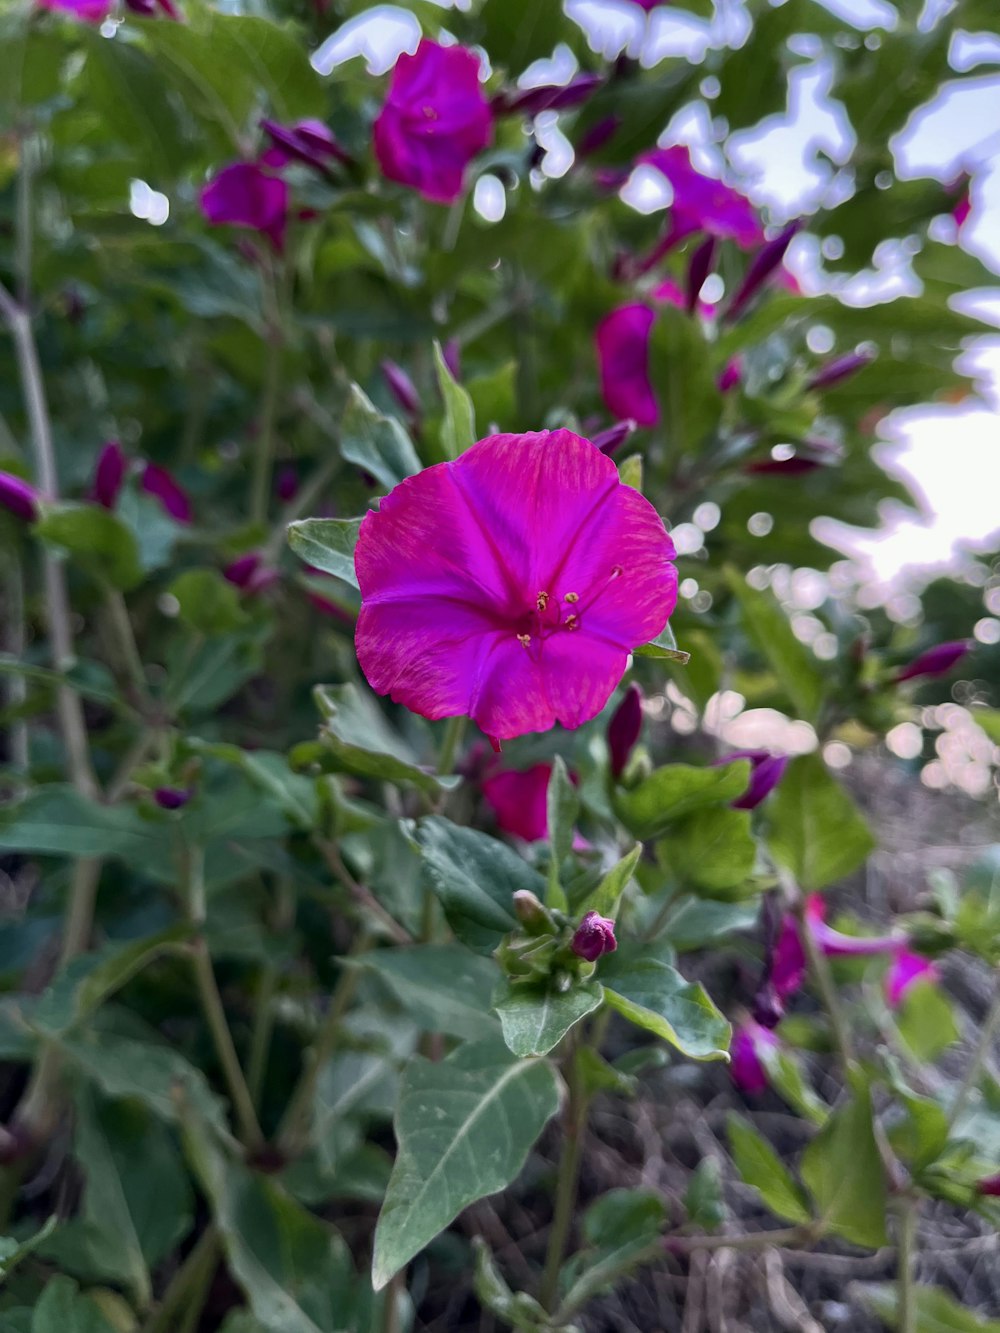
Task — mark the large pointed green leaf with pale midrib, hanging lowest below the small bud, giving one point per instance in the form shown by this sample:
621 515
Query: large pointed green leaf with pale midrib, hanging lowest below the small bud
465 1128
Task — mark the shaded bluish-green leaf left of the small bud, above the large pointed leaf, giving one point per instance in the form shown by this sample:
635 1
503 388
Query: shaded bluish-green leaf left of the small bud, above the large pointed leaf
443 987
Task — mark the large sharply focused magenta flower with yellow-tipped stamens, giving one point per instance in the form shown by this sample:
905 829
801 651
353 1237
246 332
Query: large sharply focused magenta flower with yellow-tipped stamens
511 585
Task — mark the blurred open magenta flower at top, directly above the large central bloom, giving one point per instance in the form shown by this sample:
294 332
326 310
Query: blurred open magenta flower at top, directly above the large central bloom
434 122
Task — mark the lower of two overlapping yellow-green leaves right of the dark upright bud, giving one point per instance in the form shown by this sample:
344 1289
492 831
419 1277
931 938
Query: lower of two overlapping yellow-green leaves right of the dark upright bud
714 850
